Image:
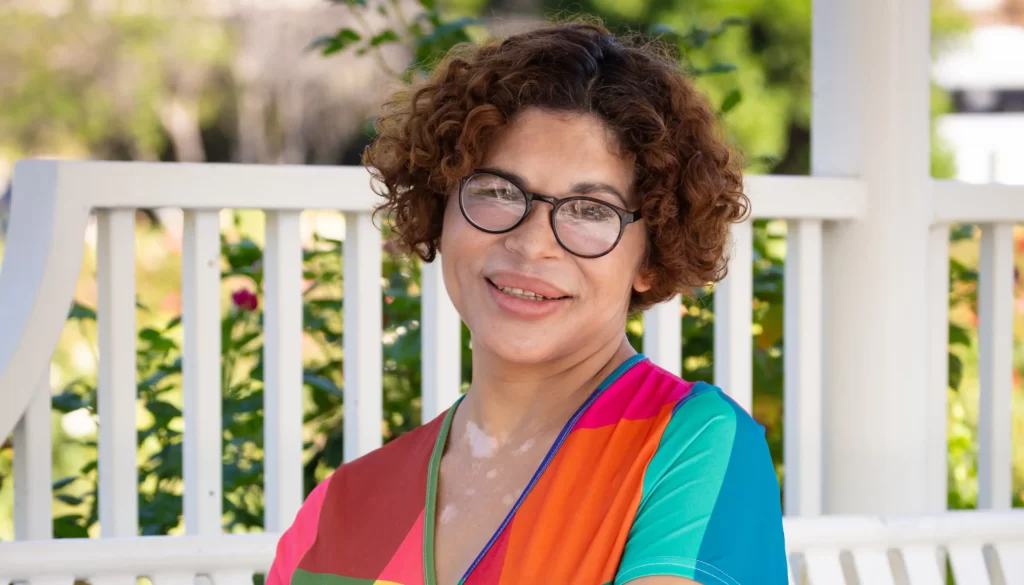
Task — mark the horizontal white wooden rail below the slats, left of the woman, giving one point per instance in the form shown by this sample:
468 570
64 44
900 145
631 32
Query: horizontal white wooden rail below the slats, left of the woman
140 556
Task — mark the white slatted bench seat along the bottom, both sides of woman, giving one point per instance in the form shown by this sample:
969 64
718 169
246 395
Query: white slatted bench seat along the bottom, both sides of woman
983 548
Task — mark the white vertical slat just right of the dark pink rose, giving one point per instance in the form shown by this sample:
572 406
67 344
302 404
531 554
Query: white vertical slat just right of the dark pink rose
283 369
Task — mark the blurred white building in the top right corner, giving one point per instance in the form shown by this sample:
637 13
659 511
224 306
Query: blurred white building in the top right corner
986 77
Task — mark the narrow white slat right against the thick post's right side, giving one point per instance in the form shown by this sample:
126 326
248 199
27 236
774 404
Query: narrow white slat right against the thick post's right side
936 407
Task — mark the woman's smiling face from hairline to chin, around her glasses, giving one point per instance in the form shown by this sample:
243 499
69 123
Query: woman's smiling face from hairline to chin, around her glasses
559 155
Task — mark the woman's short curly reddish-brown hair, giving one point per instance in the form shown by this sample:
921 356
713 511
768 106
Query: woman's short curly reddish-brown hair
689 180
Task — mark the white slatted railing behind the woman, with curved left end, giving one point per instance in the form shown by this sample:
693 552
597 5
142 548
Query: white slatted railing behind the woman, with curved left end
52 204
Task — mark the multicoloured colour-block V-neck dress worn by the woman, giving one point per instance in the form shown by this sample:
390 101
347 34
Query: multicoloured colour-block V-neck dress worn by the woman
653 476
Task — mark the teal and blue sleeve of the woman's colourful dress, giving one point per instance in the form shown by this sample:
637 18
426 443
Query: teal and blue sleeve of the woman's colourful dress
710 511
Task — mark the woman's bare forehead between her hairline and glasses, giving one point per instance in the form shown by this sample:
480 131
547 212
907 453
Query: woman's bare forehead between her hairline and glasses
553 151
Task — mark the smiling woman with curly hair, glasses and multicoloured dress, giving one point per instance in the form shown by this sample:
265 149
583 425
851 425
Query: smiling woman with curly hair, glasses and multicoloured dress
567 179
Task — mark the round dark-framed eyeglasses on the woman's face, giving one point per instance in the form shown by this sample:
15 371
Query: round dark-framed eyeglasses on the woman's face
585 227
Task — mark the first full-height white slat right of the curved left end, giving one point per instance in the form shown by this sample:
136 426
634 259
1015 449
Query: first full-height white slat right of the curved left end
117 390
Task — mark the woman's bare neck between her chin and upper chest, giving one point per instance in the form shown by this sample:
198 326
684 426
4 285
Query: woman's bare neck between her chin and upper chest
508 400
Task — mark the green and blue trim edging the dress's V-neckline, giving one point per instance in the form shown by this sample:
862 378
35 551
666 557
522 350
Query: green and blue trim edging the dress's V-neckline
434 475
